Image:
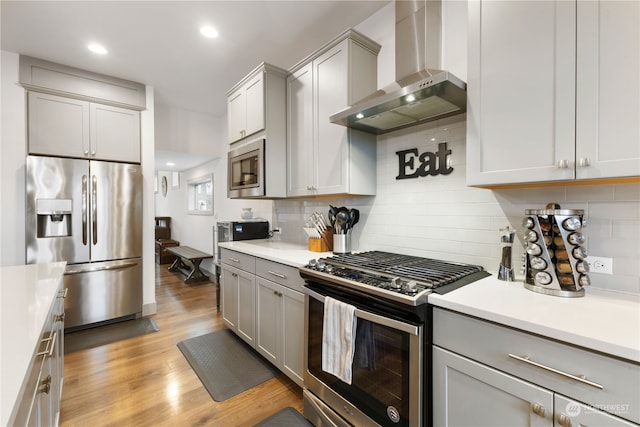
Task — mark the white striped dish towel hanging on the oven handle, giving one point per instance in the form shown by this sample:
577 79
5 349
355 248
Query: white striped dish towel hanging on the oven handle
338 338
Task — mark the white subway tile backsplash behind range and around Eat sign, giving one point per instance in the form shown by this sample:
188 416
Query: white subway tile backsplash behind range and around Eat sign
440 217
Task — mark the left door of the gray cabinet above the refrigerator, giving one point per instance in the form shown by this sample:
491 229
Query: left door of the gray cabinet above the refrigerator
58 126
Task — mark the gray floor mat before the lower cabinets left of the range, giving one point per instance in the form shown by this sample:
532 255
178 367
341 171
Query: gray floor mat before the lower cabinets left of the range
225 364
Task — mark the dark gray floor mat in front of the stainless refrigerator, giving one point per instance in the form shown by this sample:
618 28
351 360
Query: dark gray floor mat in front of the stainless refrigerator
107 334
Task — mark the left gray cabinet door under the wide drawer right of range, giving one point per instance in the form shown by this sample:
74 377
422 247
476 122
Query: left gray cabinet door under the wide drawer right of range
466 393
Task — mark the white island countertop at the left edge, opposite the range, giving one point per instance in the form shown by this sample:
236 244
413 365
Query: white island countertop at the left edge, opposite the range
27 293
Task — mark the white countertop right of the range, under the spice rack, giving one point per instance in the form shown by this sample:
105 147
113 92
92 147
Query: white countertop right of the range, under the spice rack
604 321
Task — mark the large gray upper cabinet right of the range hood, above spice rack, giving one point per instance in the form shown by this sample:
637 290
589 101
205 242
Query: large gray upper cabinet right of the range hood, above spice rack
553 91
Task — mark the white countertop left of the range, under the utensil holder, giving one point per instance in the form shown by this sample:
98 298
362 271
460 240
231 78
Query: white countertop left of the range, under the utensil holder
277 251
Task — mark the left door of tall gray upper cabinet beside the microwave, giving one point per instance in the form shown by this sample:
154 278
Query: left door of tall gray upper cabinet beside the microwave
300 154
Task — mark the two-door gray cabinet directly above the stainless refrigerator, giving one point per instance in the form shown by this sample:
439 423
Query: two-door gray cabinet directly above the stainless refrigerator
69 127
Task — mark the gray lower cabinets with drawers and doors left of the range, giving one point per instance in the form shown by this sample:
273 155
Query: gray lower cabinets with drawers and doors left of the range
262 302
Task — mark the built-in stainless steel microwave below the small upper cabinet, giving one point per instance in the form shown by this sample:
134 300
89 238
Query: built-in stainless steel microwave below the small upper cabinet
246 171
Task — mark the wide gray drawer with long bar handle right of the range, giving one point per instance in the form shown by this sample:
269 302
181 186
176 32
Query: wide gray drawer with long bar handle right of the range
529 357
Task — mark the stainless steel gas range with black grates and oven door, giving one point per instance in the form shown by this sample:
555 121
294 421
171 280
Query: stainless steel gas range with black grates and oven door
390 383
